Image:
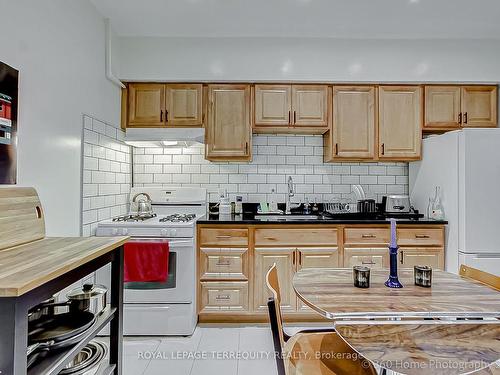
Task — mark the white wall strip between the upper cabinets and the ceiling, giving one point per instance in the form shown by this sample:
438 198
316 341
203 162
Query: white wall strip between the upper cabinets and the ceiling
338 60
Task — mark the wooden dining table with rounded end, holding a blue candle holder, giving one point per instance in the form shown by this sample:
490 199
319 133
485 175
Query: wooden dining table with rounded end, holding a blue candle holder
451 328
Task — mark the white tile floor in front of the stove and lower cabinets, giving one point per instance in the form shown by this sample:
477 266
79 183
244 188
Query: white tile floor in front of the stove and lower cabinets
211 350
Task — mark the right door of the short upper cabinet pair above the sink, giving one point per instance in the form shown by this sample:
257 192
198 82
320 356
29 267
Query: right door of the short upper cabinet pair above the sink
310 105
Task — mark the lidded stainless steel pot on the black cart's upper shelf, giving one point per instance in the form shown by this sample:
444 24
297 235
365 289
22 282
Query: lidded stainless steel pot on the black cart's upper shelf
90 297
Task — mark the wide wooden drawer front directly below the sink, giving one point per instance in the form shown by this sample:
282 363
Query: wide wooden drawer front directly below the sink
296 237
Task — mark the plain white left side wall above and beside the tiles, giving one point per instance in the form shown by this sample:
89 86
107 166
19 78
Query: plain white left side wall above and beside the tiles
58 47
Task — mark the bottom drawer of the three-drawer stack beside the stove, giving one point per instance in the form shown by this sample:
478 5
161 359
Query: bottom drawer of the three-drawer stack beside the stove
220 296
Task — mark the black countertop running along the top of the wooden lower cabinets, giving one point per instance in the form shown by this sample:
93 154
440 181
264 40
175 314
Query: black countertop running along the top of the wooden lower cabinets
250 219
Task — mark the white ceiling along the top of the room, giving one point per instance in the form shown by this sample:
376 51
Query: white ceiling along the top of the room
305 18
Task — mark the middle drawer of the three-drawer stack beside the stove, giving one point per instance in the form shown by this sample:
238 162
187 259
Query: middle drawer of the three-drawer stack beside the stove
223 263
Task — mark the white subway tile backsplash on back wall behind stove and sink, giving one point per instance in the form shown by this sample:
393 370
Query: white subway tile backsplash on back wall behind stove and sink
275 158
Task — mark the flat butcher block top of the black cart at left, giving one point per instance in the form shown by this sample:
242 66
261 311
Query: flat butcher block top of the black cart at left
25 267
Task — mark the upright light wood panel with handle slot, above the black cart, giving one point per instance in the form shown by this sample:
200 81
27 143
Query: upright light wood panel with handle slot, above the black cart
21 217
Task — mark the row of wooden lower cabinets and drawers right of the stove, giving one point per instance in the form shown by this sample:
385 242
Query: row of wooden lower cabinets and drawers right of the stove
233 261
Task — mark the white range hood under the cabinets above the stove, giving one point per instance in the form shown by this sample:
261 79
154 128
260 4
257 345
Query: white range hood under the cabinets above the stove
164 137
